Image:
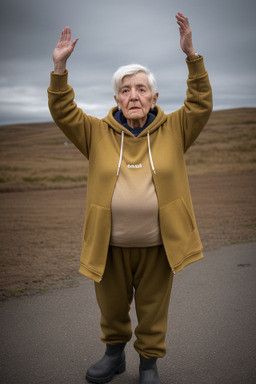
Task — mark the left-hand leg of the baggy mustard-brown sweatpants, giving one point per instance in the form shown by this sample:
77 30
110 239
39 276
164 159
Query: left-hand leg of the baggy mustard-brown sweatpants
114 295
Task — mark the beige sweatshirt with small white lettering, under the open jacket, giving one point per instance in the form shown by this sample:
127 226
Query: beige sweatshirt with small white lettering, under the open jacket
134 207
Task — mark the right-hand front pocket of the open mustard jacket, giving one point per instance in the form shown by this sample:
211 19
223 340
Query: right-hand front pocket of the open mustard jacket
179 232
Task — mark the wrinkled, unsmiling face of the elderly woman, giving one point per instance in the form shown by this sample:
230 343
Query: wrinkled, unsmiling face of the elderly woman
135 99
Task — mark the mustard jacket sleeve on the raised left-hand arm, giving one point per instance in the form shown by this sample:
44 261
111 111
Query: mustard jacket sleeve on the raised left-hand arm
74 123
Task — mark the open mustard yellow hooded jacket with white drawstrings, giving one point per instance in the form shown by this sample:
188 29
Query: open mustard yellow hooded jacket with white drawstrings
168 137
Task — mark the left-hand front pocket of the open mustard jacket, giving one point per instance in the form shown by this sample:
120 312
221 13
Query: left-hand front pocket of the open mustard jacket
96 239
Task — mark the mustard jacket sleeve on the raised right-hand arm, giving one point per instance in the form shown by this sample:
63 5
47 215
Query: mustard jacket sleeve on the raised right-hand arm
197 108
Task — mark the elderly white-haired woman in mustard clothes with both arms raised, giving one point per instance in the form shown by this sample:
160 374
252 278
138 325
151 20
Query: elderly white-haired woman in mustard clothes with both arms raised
139 227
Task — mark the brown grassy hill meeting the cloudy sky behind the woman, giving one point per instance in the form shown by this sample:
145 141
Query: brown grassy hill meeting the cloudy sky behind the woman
38 156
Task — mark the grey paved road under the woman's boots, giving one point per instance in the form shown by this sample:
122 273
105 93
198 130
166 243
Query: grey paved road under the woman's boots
53 338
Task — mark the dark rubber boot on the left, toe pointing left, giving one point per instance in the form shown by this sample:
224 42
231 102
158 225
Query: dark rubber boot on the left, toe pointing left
113 362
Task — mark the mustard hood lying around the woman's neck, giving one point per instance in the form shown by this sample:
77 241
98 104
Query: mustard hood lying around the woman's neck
118 127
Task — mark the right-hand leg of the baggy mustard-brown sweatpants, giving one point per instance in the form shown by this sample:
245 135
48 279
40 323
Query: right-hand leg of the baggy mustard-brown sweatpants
153 282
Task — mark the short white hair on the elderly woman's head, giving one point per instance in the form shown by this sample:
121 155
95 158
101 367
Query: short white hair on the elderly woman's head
132 69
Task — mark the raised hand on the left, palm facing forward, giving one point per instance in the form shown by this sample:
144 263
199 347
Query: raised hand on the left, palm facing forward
63 50
